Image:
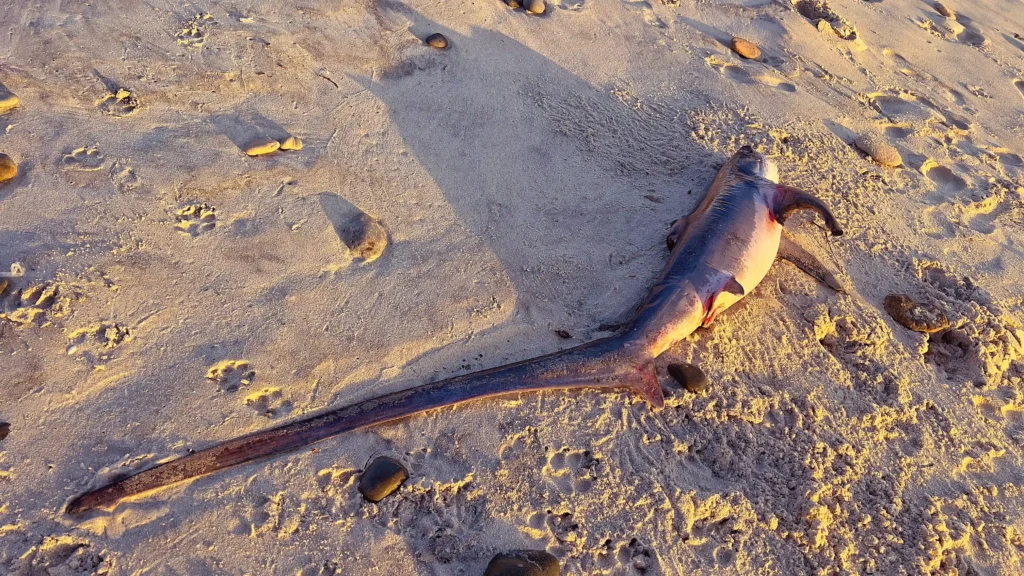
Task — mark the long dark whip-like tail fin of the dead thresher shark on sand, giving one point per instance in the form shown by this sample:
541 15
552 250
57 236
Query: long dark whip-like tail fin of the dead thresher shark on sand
603 364
